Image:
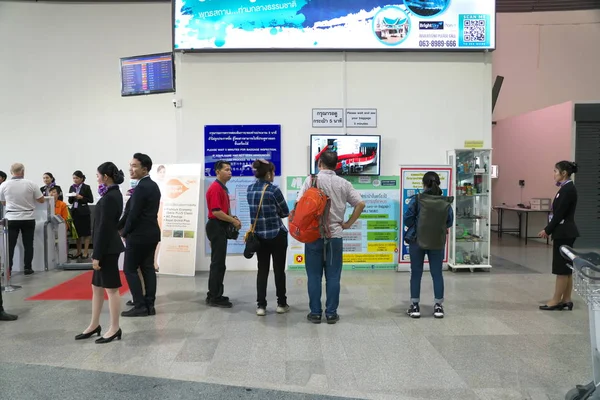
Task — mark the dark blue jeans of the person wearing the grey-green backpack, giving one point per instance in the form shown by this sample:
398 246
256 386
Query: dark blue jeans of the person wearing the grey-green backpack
417 258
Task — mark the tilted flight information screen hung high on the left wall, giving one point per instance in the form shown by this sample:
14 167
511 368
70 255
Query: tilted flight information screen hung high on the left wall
147 74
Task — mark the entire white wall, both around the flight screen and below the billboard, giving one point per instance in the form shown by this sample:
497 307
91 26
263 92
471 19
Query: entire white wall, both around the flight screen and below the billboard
64 111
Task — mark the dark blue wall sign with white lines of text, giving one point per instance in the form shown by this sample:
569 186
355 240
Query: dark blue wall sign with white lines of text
241 145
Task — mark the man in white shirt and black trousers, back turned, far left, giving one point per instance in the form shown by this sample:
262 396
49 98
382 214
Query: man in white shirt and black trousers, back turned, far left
19 195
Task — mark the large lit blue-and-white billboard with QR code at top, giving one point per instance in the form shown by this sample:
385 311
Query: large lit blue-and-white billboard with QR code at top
239 25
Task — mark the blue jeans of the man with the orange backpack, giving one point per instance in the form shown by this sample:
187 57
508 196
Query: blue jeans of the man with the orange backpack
329 262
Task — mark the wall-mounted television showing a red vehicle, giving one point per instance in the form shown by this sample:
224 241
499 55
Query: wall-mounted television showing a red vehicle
357 154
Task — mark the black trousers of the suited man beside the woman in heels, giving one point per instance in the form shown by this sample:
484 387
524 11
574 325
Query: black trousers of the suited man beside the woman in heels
141 256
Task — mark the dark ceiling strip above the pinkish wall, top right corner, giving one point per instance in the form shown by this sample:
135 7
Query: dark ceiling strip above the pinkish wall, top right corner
502 6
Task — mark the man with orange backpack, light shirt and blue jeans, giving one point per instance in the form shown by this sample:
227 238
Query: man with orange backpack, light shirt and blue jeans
324 255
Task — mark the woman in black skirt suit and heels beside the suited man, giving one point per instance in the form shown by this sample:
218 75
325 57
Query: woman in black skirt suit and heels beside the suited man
105 259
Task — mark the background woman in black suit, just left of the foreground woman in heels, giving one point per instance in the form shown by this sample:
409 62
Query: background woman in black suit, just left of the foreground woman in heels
80 212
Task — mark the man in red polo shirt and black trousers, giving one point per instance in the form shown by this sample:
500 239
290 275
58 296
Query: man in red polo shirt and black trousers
217 201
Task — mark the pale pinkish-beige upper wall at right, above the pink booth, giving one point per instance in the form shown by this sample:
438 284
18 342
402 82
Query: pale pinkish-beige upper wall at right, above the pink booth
547 58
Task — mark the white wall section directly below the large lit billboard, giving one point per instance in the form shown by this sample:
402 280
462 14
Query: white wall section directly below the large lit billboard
427 103
